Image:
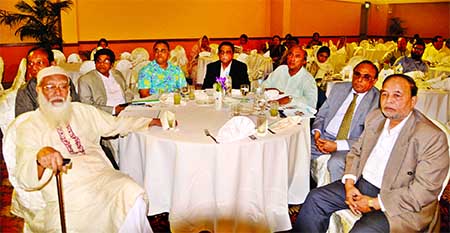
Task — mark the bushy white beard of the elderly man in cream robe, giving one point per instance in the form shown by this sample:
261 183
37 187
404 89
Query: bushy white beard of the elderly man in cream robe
58 114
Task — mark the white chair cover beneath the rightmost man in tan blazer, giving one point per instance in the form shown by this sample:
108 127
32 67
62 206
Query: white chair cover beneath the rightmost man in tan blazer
343 220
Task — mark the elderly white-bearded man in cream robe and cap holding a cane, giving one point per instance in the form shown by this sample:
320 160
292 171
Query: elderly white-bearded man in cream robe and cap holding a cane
97 198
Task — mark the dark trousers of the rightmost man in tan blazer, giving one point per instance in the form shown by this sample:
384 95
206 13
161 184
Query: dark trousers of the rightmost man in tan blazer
321 202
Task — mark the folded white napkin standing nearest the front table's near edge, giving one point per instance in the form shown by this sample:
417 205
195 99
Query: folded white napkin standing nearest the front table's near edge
236 128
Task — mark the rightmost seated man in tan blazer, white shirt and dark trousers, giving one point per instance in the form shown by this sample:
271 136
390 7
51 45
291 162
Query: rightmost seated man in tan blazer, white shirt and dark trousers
393 173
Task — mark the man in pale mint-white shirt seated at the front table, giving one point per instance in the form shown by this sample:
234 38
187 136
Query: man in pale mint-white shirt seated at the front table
293 79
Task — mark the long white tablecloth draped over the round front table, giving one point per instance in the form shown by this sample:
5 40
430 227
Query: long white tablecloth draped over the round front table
241 186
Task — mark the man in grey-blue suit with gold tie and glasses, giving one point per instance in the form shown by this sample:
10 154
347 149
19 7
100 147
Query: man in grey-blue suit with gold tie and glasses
340 120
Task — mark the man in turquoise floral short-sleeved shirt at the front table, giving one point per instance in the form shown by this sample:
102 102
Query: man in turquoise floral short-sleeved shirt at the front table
160 75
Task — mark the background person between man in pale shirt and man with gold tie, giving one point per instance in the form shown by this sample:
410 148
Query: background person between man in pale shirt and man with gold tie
320 65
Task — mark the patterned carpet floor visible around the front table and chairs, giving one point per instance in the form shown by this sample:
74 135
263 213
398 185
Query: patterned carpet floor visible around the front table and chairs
159 223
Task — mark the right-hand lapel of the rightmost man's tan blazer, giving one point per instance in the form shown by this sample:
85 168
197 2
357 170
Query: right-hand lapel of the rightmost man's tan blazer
398 153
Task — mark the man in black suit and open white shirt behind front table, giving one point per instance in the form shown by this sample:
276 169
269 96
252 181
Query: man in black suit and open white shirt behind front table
225 66
